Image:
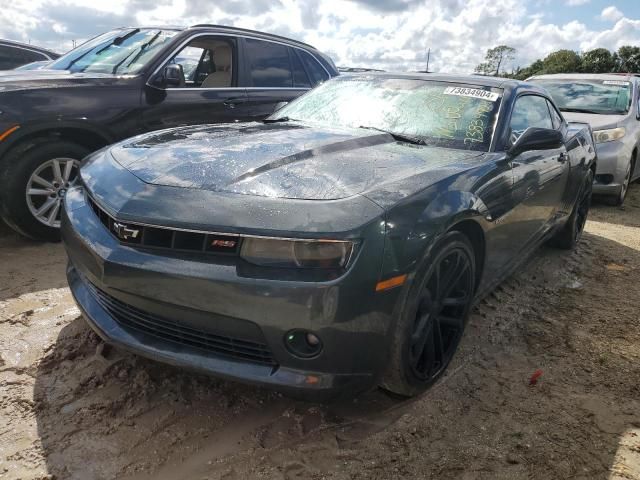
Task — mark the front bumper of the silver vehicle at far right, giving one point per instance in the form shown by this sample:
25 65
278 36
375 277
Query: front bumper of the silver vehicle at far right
613 159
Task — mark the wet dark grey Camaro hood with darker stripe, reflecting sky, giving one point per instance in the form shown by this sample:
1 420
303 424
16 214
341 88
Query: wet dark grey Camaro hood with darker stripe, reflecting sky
289 160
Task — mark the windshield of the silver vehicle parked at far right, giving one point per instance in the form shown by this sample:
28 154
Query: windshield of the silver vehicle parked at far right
607 97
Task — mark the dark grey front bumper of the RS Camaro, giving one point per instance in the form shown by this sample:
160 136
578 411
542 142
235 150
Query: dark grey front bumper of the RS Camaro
349 317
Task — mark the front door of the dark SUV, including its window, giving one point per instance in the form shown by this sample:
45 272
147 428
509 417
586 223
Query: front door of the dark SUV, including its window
209 91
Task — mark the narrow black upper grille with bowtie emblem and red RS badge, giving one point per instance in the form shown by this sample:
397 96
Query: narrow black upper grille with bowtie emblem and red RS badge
166 238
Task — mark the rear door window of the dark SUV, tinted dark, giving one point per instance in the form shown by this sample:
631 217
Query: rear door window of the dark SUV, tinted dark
269 64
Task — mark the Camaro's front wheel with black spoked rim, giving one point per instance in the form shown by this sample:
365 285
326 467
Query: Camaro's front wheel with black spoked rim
428 332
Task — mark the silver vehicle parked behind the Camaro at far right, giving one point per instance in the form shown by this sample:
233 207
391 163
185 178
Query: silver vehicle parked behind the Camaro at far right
609 103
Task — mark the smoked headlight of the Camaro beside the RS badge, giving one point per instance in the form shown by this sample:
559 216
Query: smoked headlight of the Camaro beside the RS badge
272 252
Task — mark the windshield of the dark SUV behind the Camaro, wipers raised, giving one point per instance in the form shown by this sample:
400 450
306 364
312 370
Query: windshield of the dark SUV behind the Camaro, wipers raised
119 52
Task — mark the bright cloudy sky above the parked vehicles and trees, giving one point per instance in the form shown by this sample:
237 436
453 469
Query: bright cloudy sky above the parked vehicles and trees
386 34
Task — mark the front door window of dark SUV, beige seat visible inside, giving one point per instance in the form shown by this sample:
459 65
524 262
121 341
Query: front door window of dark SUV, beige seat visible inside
207 62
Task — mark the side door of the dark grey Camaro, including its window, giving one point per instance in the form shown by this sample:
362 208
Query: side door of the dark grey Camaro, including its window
540 176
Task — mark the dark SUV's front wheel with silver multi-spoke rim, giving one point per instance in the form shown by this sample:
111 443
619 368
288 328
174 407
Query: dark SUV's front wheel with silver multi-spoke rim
34 178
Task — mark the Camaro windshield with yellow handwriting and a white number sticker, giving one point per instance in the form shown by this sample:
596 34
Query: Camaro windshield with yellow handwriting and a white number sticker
436 113
